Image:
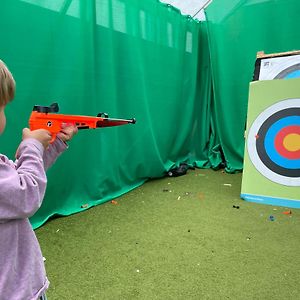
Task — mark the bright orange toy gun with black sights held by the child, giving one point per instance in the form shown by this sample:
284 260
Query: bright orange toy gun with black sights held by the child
45 117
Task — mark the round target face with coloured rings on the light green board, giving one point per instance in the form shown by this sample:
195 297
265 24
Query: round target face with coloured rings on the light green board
274 142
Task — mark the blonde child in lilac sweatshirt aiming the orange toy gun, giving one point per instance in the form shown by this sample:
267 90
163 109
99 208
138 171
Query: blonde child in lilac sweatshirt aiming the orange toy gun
22 188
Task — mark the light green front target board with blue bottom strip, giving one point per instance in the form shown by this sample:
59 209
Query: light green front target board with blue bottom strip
271 172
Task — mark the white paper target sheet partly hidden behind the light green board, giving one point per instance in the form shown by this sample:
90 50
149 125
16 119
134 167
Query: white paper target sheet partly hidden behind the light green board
285 67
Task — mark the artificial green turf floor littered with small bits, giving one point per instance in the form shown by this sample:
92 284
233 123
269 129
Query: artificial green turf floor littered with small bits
175 238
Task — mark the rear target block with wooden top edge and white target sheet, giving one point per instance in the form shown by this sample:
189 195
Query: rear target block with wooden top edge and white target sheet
277 66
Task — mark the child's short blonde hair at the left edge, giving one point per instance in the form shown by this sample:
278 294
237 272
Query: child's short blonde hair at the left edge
7 85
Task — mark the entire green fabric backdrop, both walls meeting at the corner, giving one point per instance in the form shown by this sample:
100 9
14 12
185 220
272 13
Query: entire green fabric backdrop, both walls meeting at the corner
184 81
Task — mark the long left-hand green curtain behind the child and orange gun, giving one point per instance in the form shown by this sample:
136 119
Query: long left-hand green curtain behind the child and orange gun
130 58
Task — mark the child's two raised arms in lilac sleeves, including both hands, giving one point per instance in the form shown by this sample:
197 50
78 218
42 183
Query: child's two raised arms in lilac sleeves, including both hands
23 183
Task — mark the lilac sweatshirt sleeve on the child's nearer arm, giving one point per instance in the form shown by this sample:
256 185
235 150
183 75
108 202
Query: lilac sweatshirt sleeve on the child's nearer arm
23 184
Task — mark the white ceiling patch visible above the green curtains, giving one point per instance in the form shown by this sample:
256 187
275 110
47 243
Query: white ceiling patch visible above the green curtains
194 8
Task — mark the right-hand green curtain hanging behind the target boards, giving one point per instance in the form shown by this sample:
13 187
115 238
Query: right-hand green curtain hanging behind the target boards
238 29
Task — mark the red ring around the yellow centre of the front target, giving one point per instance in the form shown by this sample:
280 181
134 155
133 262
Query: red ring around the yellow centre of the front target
280 145
